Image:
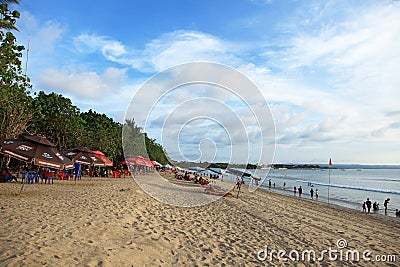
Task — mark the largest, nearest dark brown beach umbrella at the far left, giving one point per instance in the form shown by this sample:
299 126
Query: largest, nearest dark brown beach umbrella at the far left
36 149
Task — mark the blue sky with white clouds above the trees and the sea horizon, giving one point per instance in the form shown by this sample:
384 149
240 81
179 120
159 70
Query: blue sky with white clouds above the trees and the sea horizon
328 71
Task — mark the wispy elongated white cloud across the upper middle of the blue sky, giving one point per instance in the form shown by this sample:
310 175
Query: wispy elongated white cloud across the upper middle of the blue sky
168 50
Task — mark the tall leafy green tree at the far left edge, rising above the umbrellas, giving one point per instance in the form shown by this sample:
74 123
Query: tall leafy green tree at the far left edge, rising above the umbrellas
15 102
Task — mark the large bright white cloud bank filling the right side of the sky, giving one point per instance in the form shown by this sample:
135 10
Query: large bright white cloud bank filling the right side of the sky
346 73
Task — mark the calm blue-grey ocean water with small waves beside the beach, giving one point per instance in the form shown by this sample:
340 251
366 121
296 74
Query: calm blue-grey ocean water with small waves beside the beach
347 187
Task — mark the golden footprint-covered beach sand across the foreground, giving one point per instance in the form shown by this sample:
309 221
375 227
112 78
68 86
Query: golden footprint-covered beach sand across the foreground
112 222
